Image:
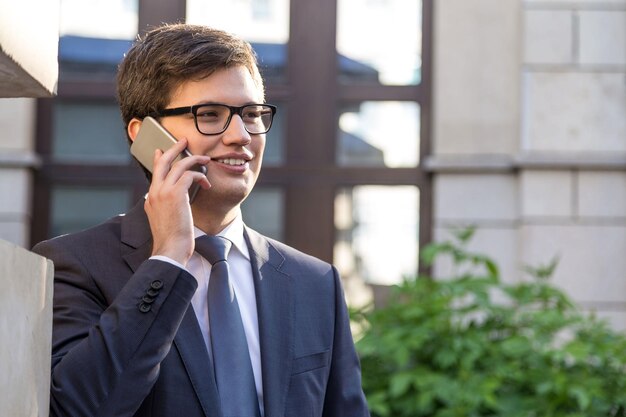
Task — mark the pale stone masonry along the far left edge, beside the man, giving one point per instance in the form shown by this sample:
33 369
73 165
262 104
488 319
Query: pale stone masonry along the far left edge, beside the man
29 37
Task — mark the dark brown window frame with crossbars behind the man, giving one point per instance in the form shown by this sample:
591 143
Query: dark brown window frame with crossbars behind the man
309 175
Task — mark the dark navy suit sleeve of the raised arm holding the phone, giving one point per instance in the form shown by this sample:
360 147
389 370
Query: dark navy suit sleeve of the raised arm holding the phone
106 354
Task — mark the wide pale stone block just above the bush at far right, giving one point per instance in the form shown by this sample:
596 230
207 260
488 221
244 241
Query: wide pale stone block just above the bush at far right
592 265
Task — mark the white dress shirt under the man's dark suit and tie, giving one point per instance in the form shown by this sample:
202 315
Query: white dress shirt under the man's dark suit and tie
240 274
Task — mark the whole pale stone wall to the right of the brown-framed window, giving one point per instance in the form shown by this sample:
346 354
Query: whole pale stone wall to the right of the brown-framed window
530 138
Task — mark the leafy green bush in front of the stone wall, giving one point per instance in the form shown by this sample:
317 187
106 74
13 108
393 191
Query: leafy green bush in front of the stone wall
471 345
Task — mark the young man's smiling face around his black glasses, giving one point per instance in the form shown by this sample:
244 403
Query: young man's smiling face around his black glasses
231 180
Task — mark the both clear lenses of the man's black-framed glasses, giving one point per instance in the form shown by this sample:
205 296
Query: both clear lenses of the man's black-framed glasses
214 118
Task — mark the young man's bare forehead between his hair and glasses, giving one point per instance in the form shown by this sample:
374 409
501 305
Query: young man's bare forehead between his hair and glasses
234 86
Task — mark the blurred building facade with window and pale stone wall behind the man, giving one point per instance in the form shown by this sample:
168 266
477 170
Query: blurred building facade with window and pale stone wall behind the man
398 121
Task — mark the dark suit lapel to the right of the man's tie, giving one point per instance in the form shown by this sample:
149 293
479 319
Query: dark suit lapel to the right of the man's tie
275 311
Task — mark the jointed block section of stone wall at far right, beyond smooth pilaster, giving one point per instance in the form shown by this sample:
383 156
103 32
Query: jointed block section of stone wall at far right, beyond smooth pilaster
574 116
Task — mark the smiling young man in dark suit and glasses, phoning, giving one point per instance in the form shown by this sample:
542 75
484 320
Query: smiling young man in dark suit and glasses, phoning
134 331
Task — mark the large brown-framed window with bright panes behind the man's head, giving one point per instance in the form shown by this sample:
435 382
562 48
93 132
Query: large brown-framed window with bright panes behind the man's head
343 161
